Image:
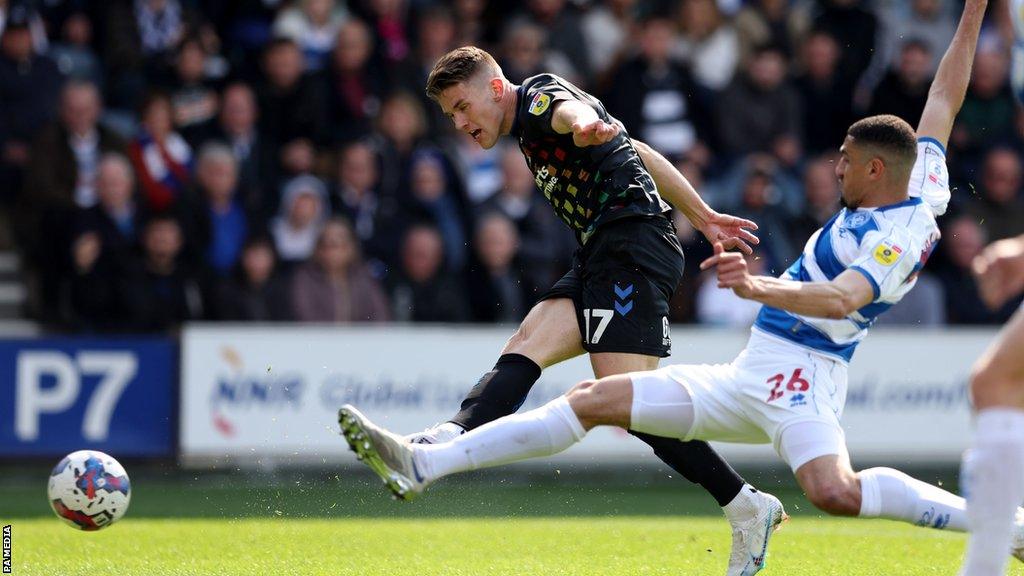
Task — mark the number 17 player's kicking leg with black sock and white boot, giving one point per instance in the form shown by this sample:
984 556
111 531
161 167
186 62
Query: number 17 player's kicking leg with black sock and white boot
548 336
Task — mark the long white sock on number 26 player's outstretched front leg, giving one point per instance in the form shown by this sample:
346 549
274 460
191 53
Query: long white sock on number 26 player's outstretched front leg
543 432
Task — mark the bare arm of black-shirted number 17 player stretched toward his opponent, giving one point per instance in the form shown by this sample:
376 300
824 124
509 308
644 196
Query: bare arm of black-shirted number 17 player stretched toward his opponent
673 186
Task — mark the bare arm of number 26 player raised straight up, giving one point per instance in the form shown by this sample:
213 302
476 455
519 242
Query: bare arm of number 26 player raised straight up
950 88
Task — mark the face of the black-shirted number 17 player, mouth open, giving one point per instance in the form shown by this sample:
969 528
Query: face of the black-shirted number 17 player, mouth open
474 108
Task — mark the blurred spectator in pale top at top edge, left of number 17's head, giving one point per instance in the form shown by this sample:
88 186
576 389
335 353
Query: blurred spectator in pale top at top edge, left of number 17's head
314 26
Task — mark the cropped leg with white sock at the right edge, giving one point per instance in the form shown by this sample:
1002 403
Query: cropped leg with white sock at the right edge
993 474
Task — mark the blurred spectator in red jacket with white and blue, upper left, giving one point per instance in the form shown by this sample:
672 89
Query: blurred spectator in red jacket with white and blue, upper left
162 158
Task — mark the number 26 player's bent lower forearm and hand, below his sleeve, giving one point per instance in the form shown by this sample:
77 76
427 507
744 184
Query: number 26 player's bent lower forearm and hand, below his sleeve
848 293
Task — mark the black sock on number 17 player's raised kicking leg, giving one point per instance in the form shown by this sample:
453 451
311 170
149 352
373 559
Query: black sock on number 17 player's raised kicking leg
499 393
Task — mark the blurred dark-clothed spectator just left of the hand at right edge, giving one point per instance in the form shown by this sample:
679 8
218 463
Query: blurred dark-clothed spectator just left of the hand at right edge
964 239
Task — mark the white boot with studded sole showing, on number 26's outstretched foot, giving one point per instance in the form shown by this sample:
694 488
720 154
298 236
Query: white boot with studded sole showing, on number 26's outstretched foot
388 455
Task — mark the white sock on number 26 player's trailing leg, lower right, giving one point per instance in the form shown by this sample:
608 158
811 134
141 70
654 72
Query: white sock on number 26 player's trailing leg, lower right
892 495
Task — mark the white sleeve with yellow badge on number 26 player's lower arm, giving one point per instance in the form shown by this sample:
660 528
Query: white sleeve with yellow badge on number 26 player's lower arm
887 260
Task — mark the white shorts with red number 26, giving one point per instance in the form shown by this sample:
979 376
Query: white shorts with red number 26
770 389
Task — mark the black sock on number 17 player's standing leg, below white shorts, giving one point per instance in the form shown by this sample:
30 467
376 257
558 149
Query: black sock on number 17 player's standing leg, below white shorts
699 464
